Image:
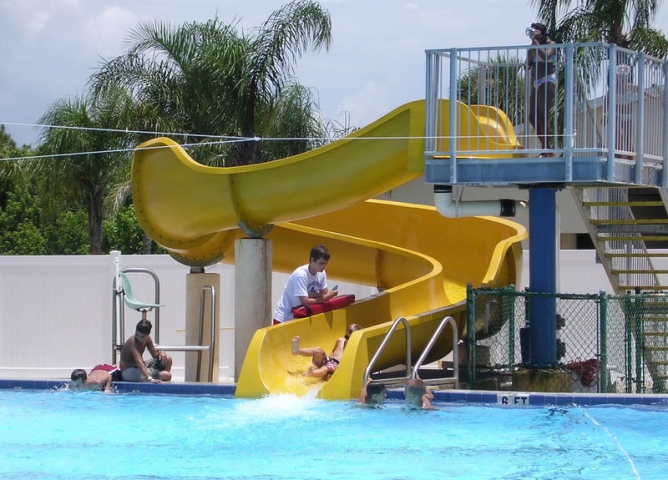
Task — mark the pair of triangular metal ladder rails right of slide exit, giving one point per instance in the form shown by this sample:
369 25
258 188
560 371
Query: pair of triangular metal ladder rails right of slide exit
413 372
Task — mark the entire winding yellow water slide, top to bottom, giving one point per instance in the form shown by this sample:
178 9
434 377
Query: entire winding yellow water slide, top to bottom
419 260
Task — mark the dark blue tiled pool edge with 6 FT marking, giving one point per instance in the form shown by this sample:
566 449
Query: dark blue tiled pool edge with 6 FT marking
504 398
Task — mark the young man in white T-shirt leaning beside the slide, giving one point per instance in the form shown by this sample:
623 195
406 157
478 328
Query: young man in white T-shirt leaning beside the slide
307 285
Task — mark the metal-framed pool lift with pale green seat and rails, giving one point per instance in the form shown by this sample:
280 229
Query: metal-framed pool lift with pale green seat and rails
122 295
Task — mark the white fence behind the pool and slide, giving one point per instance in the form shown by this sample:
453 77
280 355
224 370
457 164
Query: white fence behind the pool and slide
56 311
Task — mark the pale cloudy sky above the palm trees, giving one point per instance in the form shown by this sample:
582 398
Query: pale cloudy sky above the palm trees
49 48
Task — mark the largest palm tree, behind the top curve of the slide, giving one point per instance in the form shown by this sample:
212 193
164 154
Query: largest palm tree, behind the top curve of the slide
211 80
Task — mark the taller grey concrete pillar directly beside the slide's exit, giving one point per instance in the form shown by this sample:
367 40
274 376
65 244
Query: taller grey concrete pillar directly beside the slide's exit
252 286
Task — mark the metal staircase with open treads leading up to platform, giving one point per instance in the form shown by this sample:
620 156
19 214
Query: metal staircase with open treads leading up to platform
629 228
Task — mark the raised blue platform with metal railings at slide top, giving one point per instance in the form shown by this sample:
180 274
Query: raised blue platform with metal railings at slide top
603 125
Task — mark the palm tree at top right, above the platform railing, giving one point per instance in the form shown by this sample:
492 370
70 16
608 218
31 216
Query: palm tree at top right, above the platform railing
626 23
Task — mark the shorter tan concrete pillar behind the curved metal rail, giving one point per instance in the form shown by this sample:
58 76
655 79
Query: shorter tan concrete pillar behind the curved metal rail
195 285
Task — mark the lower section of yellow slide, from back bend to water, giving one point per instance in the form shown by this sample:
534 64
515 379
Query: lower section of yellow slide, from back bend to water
421 263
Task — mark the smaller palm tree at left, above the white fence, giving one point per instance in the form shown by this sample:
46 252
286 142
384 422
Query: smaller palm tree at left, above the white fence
88 158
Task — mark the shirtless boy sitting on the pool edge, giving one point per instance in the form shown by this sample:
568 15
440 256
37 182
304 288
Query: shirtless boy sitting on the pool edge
133 367
